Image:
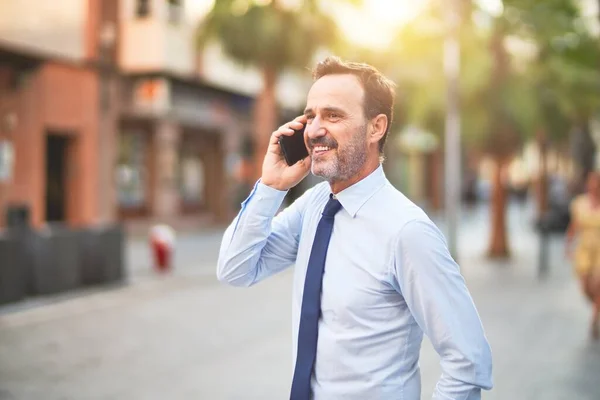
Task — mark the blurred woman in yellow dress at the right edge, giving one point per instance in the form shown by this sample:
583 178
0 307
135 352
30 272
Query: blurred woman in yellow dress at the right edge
584 234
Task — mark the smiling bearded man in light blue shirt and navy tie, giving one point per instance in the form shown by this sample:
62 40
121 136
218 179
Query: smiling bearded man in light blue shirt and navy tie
372 272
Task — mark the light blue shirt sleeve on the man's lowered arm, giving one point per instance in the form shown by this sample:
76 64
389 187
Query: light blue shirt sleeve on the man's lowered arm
438 298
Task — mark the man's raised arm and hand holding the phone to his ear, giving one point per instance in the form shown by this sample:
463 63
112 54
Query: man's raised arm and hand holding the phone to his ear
257 244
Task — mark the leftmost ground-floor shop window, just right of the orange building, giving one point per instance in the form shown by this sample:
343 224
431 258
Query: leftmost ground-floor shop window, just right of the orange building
131 170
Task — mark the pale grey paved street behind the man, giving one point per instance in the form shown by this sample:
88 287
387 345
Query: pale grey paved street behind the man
186 336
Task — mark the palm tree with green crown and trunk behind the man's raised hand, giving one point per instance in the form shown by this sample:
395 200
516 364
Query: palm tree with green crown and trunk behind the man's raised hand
272 38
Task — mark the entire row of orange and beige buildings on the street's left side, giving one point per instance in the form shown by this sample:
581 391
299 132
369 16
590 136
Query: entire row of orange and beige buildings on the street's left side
108 113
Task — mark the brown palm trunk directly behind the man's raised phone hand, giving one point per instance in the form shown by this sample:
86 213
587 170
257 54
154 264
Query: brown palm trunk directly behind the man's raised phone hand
265 117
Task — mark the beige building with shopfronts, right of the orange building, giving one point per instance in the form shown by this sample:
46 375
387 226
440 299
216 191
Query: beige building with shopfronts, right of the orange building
176 131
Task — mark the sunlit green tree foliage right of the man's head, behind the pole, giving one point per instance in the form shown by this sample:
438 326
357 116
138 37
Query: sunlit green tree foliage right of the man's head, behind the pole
548 80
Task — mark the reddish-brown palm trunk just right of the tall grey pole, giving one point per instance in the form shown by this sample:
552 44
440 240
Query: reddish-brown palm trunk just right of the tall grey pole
498 240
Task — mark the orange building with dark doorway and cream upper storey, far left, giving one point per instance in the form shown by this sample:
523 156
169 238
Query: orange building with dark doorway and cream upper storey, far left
52 153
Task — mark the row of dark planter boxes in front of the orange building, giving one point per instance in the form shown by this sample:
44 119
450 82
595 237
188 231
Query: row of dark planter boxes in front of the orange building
58 259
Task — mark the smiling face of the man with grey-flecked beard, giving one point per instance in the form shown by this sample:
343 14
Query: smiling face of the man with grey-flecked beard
336 129
